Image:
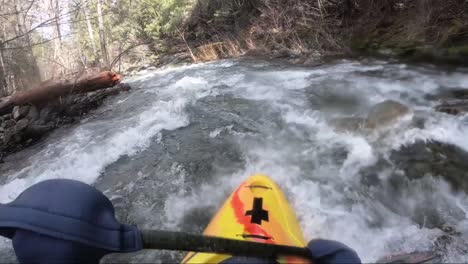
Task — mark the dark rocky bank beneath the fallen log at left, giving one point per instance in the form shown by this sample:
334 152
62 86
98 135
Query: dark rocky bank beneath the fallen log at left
27 124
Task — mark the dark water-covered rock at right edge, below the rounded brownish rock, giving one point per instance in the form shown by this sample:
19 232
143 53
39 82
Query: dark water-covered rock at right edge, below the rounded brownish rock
434 158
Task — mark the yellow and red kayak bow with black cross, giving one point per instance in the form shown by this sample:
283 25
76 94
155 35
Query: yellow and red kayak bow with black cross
256 211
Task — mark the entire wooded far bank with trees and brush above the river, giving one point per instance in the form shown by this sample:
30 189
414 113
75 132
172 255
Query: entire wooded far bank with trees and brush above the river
43 40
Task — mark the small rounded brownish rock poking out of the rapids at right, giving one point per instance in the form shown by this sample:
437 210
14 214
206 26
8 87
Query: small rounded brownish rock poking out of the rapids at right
385 113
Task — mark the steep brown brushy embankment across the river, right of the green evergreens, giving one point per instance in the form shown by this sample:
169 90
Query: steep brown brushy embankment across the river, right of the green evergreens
421 30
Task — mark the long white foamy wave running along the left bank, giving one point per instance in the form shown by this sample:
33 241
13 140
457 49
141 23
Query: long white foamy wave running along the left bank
89 148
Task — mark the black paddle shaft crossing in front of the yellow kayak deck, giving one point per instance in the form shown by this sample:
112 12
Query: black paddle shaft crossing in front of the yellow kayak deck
156 239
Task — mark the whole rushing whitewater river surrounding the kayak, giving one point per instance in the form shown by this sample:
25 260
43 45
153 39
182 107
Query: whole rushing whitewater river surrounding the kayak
168 153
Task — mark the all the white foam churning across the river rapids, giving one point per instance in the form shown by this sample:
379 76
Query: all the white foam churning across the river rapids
326 196
